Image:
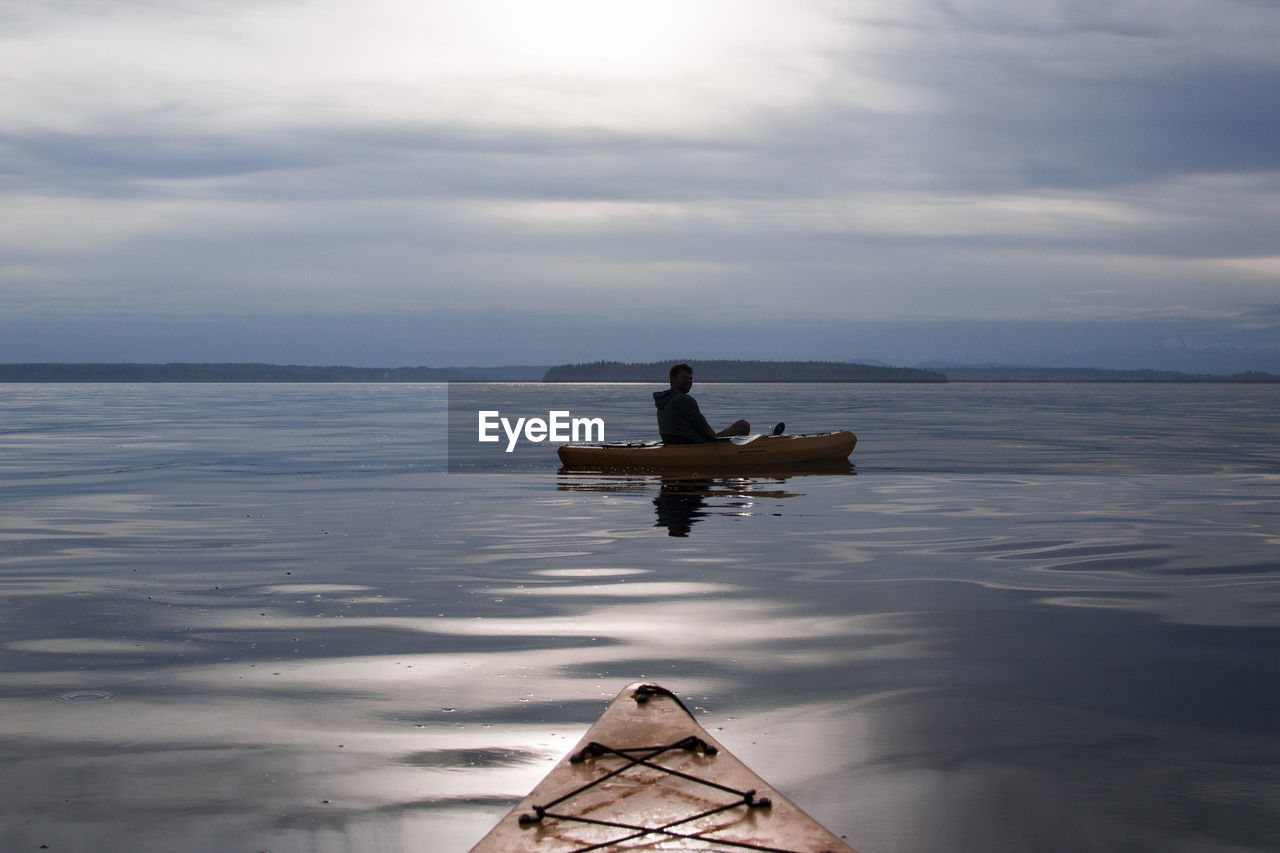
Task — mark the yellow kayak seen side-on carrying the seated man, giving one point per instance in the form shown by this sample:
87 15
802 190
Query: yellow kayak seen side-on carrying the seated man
746 451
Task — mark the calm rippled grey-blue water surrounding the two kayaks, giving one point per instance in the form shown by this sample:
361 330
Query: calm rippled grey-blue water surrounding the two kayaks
267 618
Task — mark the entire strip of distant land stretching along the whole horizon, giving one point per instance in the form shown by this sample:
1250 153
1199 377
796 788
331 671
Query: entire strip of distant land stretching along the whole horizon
707 371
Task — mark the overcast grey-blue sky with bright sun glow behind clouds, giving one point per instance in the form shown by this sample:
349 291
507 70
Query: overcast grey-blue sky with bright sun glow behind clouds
1091 183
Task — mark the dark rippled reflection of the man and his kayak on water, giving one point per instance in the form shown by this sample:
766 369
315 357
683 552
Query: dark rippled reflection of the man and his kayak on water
683 500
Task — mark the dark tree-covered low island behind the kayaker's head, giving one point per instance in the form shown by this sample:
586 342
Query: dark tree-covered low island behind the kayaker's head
740 372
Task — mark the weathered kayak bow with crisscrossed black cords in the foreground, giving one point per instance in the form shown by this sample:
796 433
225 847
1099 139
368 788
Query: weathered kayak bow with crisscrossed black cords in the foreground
647 777
